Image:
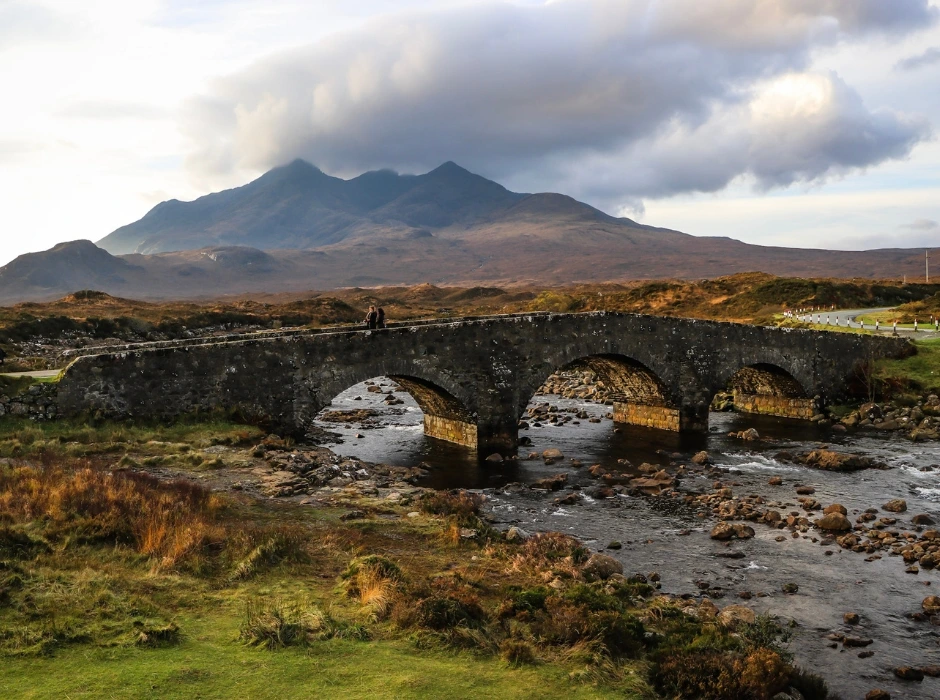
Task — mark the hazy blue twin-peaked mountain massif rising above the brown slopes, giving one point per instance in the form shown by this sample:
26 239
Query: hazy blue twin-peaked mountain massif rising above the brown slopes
299 207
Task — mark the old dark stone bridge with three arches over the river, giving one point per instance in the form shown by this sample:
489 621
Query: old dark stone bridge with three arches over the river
474 377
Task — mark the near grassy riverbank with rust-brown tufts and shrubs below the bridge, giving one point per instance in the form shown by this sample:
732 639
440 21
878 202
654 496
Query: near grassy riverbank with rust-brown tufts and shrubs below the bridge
115 582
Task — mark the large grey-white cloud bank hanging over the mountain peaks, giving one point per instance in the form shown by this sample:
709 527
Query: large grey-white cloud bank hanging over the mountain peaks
660 97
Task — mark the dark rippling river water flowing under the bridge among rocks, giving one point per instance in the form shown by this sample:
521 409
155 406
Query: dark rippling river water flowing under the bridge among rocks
658 535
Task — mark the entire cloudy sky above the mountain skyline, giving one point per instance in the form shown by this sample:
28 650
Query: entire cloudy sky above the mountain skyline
809 123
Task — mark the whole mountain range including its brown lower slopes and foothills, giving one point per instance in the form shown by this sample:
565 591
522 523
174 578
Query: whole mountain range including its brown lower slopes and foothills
296 228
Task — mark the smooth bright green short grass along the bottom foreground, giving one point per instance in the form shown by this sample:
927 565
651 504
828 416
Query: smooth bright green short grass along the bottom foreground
209 663
